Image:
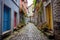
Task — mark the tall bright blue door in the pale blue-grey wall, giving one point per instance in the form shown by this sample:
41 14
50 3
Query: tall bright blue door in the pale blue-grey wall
6 19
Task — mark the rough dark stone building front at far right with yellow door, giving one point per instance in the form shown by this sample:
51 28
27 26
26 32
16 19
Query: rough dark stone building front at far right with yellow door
53 8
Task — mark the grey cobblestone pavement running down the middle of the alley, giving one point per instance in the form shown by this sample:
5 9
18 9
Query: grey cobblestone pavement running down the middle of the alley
29 32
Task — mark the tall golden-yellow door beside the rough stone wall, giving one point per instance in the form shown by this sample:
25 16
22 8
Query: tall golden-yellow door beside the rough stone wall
49 16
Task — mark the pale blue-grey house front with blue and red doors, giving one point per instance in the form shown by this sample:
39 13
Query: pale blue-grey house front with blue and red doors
10 15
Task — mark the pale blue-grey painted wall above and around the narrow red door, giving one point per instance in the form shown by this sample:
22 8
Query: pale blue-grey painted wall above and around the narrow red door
14 8
